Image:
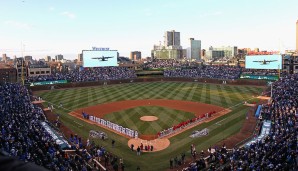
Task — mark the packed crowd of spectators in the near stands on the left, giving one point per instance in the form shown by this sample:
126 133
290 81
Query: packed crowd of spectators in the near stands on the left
24 138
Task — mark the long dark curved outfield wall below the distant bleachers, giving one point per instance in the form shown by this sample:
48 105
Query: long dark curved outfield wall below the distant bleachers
107 82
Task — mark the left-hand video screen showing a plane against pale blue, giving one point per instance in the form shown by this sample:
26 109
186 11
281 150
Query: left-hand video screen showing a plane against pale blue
99 58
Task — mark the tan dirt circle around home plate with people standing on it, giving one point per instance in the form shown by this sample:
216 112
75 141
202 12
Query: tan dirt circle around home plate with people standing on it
158 144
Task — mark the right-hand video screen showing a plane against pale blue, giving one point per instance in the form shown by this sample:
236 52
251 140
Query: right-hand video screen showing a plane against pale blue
263 62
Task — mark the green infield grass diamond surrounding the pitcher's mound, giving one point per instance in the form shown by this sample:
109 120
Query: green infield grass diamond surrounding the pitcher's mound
167 117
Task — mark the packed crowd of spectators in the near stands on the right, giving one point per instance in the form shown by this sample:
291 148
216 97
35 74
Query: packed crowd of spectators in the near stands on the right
278 150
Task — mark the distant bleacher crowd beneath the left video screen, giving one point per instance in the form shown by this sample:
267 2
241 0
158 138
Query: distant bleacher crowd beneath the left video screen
88 74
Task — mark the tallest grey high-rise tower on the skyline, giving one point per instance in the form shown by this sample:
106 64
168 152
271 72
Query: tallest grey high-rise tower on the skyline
172 39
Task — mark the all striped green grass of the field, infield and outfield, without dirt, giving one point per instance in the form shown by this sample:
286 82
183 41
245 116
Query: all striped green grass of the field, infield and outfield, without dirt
220 96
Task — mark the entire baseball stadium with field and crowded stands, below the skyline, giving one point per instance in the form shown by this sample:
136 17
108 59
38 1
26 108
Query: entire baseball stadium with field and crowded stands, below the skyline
200 117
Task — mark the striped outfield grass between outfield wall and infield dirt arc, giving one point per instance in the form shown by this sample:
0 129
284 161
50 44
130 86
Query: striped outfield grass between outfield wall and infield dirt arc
220 95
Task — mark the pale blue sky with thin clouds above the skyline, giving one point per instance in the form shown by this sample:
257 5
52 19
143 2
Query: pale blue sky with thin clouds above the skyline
49 27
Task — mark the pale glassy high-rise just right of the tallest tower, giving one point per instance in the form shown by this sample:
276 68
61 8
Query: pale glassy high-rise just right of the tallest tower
194 51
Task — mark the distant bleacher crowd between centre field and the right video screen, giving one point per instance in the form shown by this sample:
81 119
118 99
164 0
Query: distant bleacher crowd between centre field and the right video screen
216 72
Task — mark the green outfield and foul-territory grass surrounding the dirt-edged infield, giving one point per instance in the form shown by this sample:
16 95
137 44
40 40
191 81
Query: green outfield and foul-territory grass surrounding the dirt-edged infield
221 95
